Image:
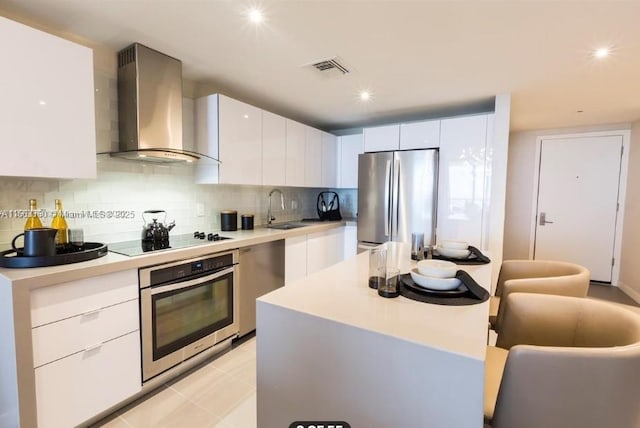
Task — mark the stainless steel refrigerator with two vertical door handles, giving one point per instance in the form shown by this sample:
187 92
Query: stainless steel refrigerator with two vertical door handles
397 196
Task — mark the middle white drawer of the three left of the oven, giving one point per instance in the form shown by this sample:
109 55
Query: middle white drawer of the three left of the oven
62 338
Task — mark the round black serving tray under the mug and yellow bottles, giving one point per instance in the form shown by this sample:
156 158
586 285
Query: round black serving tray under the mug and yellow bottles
14 259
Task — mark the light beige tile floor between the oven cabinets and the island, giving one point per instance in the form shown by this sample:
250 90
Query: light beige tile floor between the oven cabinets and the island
220 394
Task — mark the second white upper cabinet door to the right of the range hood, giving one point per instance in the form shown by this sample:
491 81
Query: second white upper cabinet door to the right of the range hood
273 149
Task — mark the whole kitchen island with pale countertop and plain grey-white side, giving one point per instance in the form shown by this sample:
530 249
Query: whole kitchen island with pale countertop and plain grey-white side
330 349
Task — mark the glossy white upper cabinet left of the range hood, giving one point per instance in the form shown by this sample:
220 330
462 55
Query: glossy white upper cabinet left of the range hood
47 110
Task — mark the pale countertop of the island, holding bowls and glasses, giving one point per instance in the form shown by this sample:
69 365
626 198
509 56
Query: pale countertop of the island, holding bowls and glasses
341 294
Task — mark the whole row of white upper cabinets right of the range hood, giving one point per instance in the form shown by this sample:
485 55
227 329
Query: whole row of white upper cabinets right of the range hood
258 147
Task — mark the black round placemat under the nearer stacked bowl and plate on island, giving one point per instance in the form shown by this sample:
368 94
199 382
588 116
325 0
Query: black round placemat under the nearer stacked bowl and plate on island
474 293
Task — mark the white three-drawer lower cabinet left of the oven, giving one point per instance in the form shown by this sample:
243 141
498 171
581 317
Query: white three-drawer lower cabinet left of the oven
86 347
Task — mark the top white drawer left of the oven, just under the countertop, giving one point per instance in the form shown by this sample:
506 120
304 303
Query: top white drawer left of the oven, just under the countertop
66 300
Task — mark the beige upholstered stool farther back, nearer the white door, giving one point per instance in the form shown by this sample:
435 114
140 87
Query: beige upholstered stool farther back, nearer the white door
537 276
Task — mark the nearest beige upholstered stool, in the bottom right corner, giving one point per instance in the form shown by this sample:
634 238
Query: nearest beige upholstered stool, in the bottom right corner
564 362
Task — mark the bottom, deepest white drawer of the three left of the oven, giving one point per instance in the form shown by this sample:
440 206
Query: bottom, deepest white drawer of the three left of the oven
71 390
